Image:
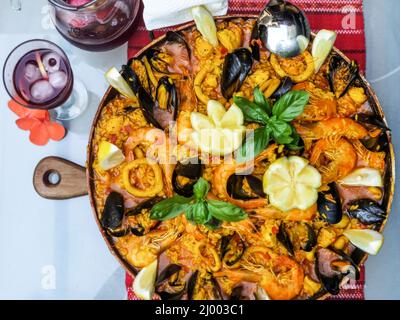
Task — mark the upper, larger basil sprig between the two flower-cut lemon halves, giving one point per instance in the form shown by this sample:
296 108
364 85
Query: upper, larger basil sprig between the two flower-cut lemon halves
275 121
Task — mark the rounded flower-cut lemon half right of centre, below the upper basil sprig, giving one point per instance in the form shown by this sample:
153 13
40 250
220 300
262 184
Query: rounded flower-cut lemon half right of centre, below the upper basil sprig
291 183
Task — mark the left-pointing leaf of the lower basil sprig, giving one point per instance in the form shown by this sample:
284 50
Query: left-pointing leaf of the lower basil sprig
170 208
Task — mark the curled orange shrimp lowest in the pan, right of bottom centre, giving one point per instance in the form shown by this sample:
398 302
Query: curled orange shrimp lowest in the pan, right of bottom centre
282 278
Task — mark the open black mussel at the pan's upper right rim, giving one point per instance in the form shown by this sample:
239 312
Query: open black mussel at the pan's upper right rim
340 70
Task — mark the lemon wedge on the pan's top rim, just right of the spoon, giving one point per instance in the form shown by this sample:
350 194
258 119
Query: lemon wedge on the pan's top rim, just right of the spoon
322 46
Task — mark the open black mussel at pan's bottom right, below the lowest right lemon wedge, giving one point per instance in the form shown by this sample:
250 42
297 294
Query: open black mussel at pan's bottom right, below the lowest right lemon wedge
332 266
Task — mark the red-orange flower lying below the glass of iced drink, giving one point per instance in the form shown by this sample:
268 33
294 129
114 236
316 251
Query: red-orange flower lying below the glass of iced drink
38 123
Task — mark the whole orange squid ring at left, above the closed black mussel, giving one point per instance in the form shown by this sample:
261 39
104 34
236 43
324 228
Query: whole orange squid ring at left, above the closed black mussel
150 192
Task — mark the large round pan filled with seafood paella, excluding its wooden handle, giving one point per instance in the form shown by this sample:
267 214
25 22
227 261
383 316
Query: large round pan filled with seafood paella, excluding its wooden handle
229 174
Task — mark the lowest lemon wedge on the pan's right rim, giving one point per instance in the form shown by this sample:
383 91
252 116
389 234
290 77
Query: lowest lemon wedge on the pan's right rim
367 240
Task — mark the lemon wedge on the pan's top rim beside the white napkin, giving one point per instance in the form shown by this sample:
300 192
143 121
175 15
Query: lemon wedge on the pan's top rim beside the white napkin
205 24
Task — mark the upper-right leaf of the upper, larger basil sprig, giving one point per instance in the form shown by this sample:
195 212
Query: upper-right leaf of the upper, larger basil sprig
290 105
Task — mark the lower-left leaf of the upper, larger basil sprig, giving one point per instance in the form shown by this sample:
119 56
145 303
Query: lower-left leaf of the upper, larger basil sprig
254 144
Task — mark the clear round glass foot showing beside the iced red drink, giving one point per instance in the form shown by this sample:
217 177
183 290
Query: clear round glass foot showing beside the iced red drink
74 106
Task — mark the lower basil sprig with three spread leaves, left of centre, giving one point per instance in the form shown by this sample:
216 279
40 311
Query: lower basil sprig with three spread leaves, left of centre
197 208
